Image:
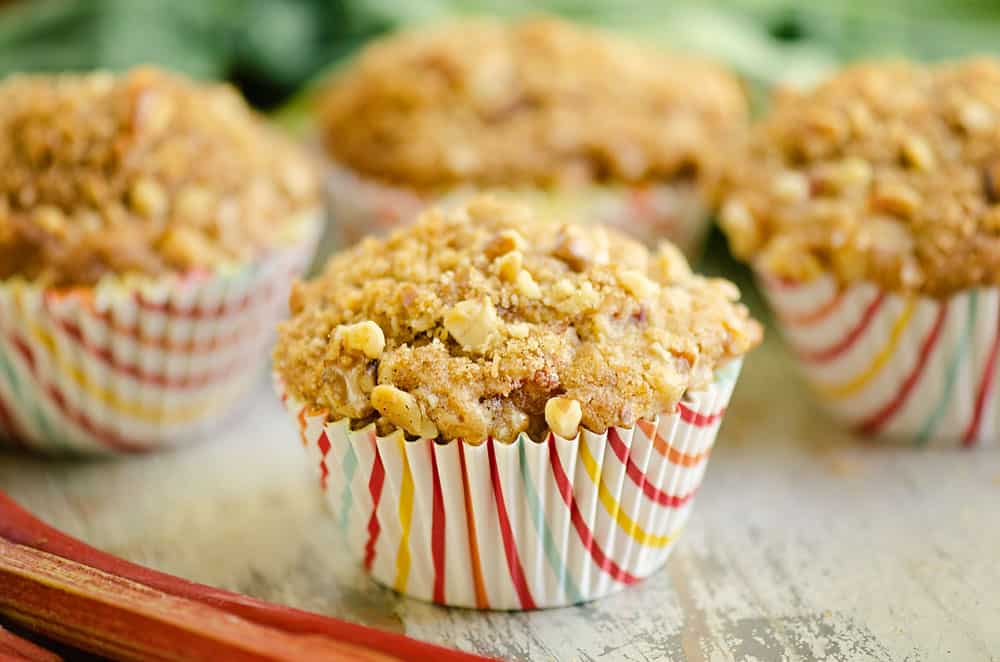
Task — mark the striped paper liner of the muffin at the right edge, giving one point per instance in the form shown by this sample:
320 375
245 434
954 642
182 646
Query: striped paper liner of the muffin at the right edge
909 369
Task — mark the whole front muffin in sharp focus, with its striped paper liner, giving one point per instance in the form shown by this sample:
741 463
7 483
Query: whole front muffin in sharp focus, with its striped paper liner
508 412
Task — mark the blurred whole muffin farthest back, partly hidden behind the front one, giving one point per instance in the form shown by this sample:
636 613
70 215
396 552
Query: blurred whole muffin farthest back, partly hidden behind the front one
581 123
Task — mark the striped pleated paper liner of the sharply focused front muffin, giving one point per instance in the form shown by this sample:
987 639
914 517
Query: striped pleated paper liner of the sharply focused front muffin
516 526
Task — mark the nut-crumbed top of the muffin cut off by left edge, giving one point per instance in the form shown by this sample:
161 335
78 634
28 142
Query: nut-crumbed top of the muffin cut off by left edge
144 173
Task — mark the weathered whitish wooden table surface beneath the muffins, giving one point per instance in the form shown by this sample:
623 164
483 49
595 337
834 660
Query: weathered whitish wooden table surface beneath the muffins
804 544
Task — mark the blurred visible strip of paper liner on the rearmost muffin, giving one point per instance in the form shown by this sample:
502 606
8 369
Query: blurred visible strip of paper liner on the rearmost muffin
362 206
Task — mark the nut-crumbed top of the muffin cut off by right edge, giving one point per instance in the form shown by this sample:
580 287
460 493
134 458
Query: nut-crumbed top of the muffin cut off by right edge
889 172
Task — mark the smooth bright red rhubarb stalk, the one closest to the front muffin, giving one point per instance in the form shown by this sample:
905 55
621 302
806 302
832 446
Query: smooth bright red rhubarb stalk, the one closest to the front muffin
20 527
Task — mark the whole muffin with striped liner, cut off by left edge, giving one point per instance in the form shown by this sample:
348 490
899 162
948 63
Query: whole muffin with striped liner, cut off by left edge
150 228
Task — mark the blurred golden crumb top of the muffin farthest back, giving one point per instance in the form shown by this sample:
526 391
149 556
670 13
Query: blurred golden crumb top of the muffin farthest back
541 102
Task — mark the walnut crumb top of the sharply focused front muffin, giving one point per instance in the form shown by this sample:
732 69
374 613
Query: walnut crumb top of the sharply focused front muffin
483 320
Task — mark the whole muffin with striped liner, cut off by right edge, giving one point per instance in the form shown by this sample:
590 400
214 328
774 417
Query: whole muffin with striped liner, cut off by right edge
870 208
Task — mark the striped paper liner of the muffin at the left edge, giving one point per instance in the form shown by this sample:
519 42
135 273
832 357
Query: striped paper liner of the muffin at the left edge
126 367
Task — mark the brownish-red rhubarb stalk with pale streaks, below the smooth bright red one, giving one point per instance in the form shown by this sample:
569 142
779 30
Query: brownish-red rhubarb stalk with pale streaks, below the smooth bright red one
121 618
